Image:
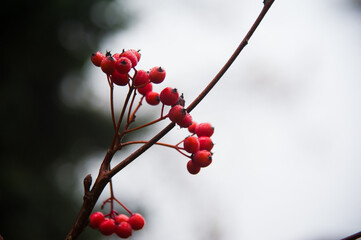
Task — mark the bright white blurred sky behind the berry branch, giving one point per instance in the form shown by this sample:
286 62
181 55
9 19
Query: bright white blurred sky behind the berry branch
287 115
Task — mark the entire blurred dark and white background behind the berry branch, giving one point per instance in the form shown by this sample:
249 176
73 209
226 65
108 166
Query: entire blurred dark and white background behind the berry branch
287 155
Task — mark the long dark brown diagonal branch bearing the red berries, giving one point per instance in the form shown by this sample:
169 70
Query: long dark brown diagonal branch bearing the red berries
104 175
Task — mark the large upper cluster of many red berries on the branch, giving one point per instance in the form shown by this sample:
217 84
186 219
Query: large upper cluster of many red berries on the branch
118 68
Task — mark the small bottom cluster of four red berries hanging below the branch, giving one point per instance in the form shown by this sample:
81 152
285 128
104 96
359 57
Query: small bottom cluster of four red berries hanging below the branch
120 224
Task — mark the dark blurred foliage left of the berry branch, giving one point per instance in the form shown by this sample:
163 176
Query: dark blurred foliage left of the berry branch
42 42
